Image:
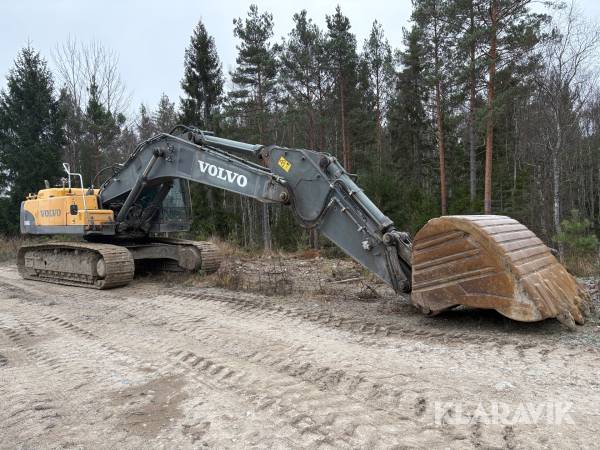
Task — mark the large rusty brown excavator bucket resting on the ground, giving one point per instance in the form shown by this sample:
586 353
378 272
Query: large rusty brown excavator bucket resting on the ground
492 262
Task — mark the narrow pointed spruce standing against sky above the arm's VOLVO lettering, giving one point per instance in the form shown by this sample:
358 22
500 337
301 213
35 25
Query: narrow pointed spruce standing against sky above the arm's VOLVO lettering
202 81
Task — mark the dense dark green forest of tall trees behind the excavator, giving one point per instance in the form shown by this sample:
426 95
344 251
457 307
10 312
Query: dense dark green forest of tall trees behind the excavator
476 76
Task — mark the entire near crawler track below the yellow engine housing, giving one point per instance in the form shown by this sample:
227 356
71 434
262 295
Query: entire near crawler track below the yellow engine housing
91 265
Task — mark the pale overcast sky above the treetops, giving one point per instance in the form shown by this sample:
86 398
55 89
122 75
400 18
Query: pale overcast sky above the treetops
150 36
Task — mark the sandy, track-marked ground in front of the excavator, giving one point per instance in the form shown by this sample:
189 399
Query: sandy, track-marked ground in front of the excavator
180 363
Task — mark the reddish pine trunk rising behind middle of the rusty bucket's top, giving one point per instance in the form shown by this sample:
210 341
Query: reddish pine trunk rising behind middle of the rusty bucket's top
489 139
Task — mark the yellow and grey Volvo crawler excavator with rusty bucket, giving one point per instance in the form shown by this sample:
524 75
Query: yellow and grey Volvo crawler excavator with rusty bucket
480 261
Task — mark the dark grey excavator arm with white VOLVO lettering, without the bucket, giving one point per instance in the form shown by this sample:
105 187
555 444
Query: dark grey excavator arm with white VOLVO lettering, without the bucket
313 185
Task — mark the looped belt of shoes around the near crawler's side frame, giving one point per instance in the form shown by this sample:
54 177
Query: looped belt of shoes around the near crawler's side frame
118 263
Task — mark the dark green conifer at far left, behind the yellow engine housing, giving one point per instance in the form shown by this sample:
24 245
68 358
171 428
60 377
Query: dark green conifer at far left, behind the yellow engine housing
30 131
